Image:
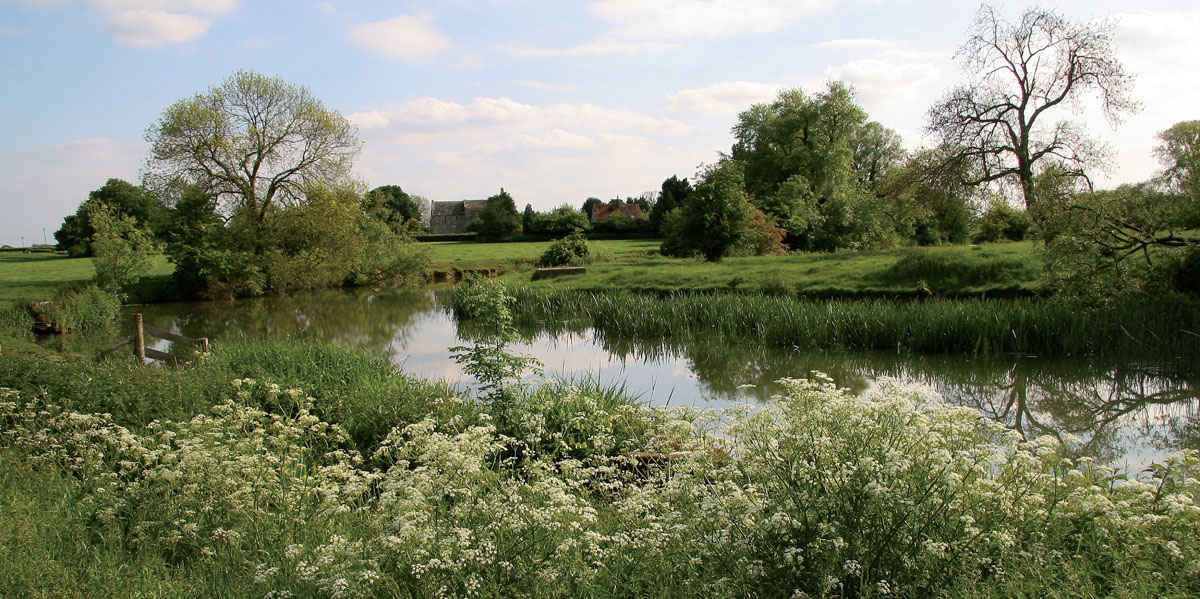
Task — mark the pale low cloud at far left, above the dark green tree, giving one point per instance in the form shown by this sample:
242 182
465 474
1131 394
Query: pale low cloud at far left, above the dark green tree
49 183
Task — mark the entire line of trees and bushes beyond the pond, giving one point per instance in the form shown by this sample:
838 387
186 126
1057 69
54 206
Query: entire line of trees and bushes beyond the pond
249 188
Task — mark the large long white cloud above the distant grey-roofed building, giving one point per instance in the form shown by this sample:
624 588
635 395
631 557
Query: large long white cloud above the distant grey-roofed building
544 154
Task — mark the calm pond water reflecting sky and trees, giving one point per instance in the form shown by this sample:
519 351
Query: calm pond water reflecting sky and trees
1126 415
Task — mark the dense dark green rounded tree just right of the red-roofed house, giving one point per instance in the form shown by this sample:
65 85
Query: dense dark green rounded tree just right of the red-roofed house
715 218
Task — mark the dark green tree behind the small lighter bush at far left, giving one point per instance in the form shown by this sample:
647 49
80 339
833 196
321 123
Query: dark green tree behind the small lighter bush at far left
122 199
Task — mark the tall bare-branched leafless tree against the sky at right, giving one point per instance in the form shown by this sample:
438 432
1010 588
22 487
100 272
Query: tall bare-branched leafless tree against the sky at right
1021 74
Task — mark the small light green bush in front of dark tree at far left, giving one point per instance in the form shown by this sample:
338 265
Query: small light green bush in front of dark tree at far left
123 250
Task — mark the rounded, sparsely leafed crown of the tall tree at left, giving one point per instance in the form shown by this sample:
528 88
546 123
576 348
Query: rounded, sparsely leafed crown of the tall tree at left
254 142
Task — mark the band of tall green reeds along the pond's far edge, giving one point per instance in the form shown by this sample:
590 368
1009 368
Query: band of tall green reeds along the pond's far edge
1165 328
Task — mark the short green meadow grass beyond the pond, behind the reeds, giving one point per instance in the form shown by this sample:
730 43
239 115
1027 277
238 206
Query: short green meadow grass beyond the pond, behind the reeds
997 269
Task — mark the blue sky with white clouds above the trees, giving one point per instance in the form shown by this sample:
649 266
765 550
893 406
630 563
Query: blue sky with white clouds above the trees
553 100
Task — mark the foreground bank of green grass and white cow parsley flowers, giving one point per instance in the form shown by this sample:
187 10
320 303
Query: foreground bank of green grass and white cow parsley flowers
122 482
